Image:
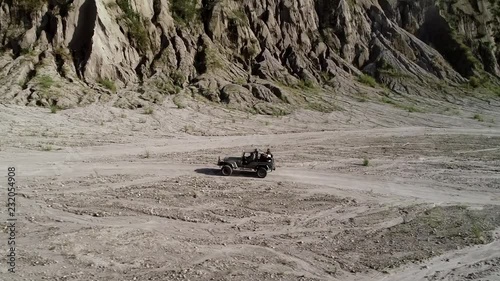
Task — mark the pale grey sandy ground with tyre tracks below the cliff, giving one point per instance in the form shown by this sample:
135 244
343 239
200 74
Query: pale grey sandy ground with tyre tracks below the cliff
108 194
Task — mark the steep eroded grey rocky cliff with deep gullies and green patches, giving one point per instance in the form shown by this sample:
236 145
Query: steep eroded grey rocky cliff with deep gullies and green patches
254 54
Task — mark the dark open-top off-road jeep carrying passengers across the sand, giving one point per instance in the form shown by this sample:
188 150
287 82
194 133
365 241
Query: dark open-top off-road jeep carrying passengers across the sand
260 164
